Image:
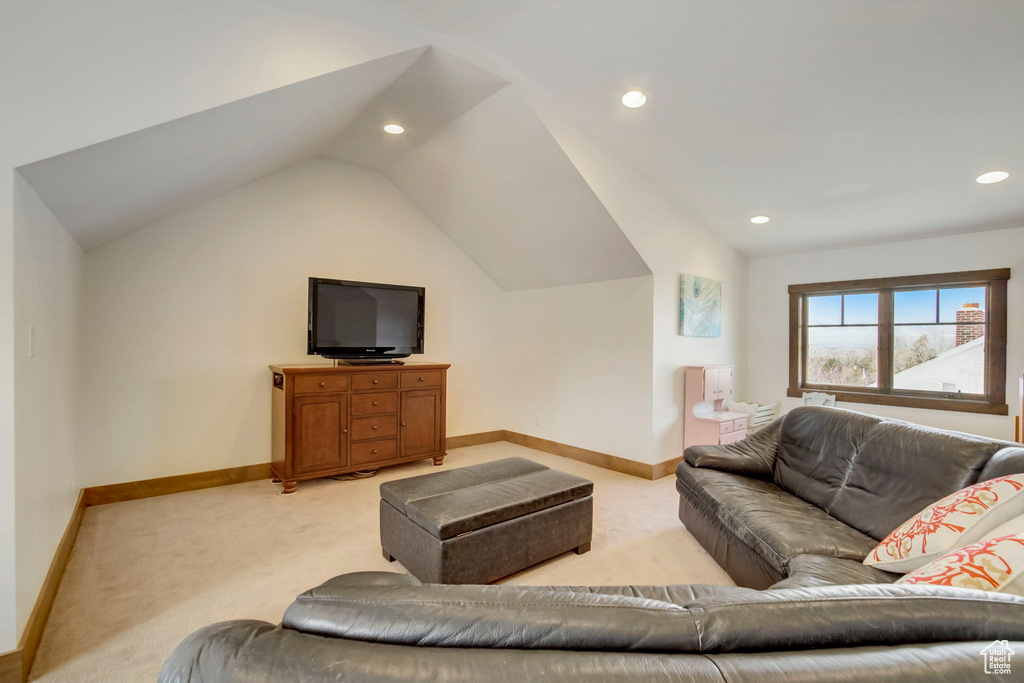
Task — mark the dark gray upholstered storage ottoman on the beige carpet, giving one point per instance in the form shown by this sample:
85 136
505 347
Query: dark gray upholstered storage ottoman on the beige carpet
477 525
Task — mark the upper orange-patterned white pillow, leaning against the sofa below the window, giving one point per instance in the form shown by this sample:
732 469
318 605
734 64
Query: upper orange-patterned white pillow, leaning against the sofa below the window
957 521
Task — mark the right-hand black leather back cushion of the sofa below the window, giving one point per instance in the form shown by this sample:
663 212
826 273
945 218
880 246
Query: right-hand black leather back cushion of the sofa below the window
902 468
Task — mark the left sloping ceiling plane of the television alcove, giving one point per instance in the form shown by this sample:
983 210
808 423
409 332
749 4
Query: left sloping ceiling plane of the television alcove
113 188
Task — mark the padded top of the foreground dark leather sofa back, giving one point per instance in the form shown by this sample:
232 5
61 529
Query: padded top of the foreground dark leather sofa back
364 608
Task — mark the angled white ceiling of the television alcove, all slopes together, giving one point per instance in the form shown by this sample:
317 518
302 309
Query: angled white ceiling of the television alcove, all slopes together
483 166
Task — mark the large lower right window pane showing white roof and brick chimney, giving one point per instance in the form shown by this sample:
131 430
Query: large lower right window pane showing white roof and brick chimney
941 358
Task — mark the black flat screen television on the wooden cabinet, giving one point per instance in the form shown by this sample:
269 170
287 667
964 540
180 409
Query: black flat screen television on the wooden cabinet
364 321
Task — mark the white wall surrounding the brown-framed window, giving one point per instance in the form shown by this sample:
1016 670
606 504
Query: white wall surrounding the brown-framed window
769 305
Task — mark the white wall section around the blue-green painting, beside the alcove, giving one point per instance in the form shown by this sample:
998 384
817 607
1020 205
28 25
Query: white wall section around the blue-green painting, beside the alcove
672 243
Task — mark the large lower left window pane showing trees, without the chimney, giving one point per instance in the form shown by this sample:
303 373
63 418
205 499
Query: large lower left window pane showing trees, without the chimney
842 356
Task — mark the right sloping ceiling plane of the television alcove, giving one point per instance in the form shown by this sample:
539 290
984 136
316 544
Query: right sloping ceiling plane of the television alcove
507 194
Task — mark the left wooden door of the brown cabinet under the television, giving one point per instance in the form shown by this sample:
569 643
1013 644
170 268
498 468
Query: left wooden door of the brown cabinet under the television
321 434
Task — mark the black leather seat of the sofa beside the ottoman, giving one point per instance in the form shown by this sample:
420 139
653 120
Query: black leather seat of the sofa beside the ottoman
774 523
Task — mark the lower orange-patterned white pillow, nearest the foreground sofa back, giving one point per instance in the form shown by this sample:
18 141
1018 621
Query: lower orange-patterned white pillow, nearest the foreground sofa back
995 564
